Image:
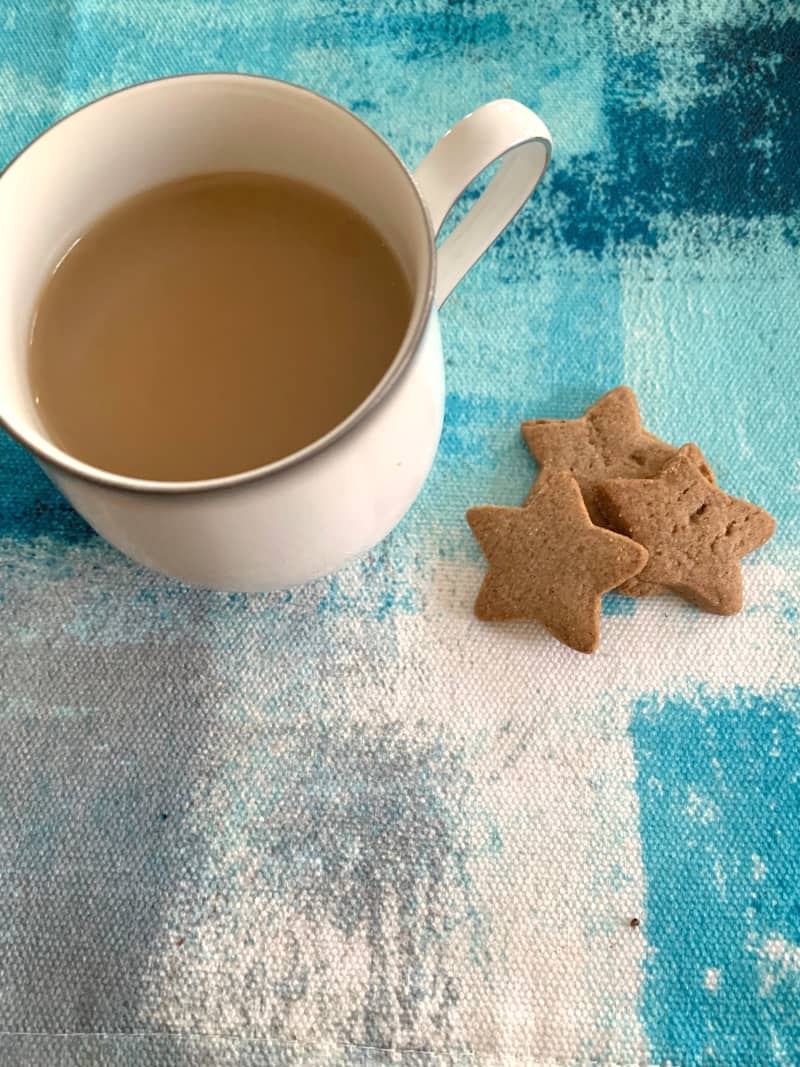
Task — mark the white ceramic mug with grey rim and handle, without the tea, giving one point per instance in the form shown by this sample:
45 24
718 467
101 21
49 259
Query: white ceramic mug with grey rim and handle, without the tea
309 514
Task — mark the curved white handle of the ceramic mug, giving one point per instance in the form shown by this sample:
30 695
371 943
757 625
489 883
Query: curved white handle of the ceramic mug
502 129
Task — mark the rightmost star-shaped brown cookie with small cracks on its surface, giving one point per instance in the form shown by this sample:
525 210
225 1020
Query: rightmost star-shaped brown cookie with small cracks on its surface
696 534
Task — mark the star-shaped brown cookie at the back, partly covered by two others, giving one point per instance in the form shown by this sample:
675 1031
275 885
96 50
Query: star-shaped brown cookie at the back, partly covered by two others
606 442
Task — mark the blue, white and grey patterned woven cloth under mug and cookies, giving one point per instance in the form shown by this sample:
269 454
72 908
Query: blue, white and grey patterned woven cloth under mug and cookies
349 824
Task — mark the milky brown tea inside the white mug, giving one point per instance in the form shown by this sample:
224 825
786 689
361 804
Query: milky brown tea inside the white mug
215 325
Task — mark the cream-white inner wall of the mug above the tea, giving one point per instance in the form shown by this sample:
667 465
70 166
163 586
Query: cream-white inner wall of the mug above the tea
170 130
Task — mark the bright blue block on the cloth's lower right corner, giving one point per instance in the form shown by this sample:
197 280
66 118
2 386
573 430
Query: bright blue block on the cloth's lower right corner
718 776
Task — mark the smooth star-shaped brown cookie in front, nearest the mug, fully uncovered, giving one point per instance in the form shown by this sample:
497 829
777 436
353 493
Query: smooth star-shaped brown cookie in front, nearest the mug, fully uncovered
549 563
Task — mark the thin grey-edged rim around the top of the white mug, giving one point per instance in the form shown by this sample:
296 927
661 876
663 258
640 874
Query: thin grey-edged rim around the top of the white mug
406 353
